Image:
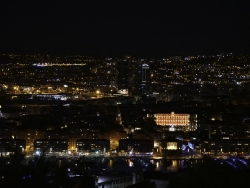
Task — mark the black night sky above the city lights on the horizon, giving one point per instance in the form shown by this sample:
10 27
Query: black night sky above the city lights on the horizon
149 28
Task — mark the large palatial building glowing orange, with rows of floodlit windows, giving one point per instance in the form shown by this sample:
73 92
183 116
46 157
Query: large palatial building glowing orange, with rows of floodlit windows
176 122
